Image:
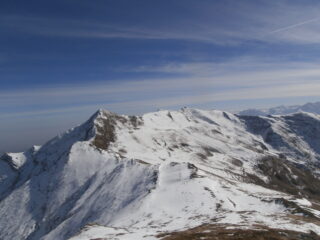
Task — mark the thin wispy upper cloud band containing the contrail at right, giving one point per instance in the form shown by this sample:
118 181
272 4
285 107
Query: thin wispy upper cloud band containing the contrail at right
267 22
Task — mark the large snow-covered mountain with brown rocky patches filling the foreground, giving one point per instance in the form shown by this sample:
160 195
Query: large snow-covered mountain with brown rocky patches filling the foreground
187 174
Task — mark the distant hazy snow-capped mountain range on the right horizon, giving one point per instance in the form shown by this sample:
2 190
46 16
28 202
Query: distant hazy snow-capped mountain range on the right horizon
282 110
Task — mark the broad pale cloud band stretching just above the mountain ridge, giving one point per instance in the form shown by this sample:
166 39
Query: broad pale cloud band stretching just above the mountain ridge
202 82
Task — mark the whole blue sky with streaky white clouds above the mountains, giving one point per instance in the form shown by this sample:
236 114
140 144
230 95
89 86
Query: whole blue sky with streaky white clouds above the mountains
62 60
